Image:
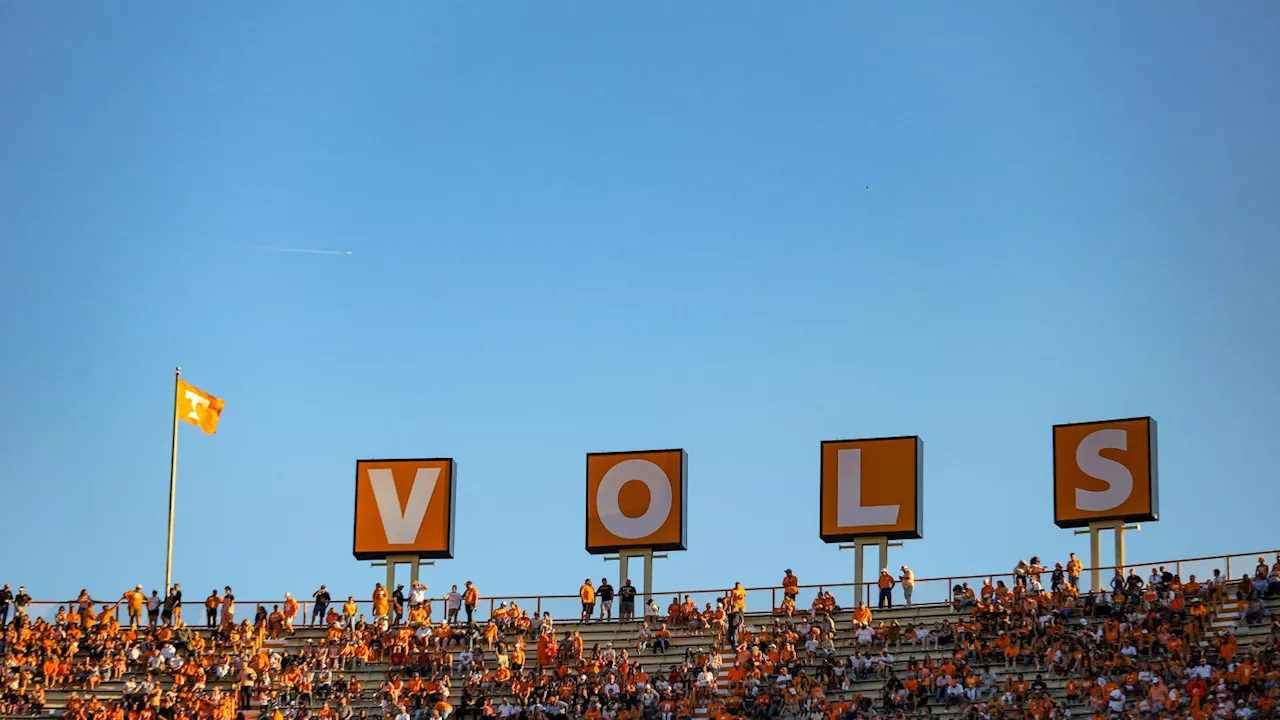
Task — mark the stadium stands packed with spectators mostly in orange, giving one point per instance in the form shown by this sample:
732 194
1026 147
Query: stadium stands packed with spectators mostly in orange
1027 646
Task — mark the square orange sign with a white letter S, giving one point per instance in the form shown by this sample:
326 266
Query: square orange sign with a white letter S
1105 471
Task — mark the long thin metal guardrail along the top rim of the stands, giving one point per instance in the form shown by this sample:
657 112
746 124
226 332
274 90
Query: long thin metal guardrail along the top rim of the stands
760 600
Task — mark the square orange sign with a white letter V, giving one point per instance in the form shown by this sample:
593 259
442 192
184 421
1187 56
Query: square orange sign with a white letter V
405 508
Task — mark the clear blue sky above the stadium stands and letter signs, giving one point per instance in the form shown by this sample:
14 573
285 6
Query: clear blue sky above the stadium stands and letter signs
733 227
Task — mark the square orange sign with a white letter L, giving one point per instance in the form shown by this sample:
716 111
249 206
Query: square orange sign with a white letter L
872 489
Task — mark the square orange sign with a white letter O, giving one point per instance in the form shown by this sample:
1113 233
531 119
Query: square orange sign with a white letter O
637 500
